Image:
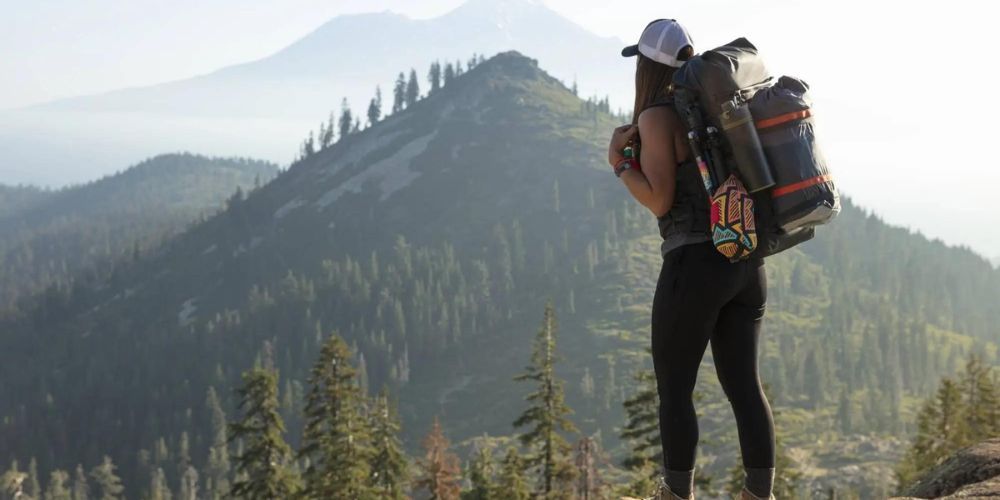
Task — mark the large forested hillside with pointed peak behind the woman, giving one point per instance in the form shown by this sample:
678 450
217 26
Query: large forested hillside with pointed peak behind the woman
430 241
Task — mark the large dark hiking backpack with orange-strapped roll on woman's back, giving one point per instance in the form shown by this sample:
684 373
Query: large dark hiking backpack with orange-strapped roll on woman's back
773 151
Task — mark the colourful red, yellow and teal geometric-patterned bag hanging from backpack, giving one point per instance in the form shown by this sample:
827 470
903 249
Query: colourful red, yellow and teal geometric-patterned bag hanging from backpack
733 228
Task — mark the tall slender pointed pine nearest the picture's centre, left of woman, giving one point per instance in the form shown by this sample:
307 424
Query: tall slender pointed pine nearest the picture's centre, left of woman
547 415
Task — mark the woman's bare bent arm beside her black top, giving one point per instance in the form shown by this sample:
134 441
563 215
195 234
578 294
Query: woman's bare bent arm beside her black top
653 187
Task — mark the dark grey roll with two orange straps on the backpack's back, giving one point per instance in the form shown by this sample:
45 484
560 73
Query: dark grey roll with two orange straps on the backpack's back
804 194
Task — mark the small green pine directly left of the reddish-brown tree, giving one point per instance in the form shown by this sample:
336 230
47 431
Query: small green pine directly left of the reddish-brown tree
389 467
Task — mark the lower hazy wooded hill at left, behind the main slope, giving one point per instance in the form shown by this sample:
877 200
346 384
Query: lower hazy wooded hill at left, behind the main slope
50 237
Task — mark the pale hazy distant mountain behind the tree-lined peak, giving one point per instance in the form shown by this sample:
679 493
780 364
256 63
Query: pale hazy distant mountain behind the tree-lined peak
265 107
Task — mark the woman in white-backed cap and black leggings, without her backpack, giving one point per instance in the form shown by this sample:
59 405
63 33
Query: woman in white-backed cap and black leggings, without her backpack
700 296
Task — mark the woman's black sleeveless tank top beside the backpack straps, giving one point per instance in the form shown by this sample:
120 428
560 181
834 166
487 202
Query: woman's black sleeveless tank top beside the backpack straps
688 220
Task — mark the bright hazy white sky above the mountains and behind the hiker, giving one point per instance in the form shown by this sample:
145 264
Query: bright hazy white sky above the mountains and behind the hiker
903 89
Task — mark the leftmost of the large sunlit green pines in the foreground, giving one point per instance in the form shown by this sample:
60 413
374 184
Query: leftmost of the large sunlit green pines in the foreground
262 467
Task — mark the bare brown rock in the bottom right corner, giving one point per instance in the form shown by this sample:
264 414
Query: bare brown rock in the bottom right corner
972 472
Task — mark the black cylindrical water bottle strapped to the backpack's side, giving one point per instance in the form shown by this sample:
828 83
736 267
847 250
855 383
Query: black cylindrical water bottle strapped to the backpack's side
737 123
